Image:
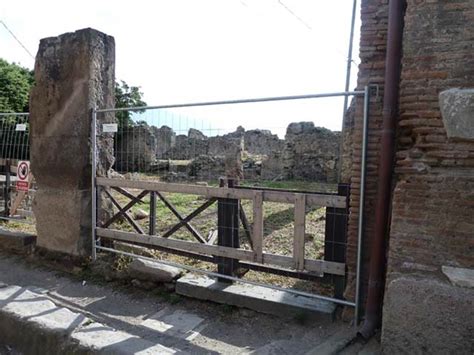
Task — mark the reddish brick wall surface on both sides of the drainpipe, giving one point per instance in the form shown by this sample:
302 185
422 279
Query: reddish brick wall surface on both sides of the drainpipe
432 222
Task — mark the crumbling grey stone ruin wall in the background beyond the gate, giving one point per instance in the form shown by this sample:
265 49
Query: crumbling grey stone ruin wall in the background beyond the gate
307 153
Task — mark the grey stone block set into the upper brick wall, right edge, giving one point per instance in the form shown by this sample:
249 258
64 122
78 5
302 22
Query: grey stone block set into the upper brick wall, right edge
457 110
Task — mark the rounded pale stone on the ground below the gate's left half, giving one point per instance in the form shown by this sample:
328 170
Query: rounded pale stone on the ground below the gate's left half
150 271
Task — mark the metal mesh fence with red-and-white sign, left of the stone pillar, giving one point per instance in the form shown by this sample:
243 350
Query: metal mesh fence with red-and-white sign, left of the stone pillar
17 190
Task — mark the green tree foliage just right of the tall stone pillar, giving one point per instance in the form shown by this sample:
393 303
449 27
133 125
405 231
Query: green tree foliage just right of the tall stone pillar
127 96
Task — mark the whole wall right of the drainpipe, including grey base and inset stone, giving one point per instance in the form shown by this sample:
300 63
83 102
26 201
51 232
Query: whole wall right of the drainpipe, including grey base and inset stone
432 224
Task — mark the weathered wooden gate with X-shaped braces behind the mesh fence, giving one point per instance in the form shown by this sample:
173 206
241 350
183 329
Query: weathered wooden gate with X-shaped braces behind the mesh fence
227 252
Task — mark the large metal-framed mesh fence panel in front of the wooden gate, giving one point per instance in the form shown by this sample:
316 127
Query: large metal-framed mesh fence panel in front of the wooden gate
278 218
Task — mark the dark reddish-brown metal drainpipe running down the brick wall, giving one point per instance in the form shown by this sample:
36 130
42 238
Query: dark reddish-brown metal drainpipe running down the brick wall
373 313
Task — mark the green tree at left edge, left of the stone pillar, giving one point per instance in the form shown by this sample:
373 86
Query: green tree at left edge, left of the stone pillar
15 84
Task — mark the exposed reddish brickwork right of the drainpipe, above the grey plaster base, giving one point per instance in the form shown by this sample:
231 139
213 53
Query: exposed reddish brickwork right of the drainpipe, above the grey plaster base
433 206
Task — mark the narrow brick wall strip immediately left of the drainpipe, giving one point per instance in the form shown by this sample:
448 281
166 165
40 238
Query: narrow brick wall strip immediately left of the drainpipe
374 16
